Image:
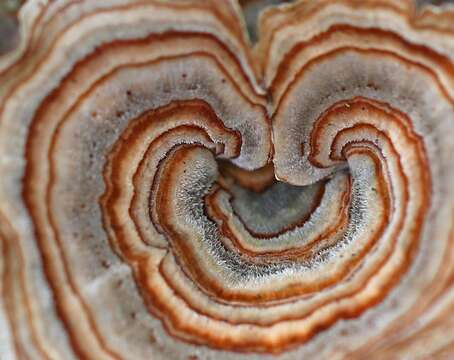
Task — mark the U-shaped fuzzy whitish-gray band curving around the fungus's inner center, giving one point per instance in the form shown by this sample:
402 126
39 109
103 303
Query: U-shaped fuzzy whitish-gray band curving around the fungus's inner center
195 184
